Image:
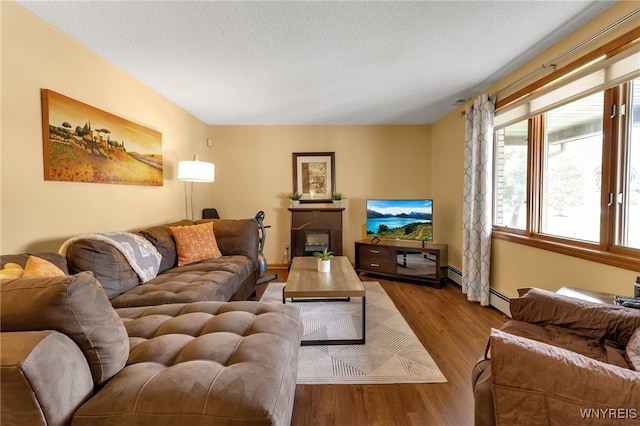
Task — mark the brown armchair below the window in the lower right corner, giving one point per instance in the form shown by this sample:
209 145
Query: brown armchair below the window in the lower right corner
558 360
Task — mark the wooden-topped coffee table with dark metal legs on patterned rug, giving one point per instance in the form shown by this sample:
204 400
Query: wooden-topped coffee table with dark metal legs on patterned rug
305 283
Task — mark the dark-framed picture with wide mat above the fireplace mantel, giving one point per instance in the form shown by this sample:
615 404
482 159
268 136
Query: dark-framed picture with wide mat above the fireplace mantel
314 176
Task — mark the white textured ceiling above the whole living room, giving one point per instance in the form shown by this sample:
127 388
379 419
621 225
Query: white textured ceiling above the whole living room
327 62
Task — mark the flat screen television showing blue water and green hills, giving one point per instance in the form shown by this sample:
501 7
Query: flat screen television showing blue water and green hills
407 219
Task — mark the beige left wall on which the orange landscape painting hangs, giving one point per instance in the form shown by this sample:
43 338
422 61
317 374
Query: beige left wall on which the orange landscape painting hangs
38 215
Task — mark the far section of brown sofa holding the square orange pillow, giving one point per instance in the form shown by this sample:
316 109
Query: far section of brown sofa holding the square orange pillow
231 277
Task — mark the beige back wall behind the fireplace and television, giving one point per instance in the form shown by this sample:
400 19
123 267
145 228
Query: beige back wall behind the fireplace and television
254 172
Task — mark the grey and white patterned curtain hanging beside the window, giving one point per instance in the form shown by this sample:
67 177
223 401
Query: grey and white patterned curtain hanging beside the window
477 206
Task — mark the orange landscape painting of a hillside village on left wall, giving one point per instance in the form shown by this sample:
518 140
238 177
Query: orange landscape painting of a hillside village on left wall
85 144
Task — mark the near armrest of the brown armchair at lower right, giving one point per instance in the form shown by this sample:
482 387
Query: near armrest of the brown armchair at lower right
538 384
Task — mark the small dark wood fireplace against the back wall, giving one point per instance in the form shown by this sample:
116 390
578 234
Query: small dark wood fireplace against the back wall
314 229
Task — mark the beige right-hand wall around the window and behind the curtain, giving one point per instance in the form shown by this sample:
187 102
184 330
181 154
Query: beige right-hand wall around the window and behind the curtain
513 265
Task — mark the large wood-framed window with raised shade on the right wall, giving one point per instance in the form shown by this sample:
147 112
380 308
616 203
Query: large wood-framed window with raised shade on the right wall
567 166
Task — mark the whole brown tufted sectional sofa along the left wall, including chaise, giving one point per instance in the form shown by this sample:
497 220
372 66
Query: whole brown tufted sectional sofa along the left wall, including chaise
70 356
